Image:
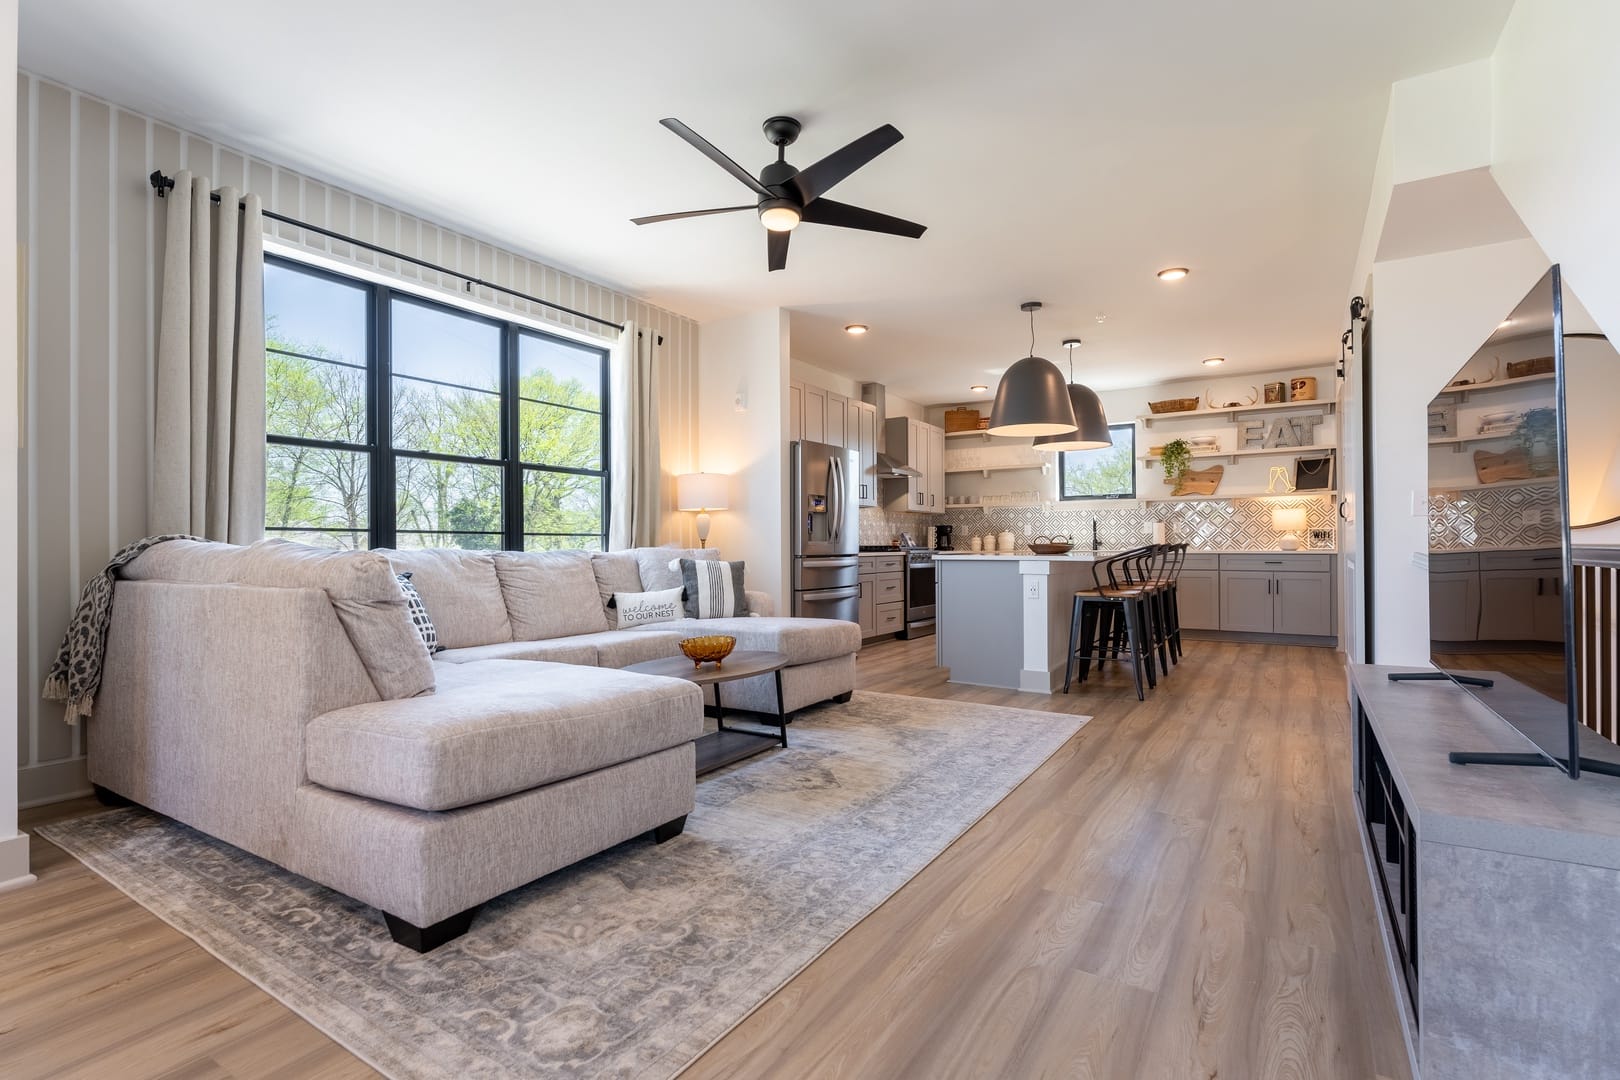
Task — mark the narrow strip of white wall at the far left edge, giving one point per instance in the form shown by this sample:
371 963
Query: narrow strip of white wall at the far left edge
14 848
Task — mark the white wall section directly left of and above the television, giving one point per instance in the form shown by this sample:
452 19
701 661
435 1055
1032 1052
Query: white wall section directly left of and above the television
1433 313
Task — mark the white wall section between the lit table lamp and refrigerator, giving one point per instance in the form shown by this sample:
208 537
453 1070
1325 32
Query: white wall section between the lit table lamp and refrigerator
743 404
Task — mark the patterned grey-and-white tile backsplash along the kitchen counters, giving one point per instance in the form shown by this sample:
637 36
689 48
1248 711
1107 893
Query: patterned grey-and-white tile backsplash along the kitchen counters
1203 524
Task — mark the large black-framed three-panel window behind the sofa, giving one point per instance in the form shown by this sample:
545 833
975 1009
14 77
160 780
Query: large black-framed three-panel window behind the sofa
396 422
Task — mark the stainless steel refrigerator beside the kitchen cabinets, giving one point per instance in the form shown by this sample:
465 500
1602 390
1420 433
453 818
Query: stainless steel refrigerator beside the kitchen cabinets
827 532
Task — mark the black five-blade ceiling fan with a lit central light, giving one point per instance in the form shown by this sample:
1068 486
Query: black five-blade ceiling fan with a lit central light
791 195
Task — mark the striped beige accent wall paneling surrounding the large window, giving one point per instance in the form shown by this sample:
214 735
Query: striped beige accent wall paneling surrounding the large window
92 236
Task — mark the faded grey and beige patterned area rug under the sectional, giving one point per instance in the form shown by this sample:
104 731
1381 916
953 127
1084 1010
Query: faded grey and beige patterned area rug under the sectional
633 963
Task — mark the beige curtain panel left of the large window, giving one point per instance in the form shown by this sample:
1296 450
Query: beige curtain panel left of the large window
208 456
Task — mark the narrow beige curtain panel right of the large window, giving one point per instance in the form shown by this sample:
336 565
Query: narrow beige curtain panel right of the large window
636 470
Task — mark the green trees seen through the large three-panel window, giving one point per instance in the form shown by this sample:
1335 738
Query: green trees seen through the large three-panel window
325 493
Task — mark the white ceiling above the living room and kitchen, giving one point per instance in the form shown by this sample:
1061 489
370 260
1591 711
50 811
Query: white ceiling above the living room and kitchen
1060 151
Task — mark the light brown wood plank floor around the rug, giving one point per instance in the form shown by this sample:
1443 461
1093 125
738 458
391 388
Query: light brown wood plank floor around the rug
1177 893
